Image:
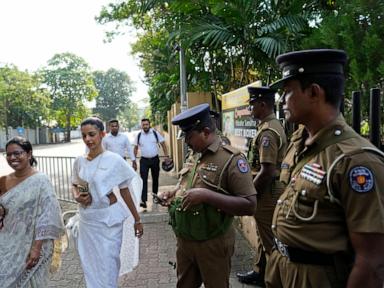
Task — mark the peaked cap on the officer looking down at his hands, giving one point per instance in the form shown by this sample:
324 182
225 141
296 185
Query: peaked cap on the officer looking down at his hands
193 118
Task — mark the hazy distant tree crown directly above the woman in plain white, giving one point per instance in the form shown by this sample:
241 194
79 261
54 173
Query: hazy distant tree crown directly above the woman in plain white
115 89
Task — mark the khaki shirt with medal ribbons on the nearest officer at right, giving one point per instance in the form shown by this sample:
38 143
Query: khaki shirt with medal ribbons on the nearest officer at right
356 182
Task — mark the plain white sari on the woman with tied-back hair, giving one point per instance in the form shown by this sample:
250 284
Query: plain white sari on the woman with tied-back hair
101 225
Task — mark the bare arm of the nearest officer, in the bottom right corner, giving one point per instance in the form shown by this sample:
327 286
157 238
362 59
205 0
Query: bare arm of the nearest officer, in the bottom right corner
368 268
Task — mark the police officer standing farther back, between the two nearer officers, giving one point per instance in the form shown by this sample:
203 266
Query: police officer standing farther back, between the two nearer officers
268 148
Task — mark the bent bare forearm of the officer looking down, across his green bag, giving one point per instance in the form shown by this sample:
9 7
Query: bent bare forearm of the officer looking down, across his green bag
234 205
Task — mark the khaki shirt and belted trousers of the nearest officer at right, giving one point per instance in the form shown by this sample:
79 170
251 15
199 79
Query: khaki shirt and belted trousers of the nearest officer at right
331 193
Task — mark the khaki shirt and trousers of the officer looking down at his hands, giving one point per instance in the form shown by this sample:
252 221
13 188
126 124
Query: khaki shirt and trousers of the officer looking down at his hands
209 261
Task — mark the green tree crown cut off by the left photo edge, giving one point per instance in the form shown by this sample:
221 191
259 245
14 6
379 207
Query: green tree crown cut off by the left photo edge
24 101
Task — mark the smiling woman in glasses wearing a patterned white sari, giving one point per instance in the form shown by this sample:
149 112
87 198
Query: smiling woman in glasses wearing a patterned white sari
30 220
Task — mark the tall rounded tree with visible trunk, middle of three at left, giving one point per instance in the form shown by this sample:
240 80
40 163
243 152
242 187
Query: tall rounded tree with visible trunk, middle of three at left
70 83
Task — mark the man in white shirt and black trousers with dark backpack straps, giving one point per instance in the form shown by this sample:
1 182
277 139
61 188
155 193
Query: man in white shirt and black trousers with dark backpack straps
148 139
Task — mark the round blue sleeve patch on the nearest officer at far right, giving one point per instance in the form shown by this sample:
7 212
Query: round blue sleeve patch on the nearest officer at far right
361 179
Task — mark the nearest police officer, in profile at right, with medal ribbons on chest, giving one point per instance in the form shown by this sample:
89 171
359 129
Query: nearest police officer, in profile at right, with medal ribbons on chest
329 222
